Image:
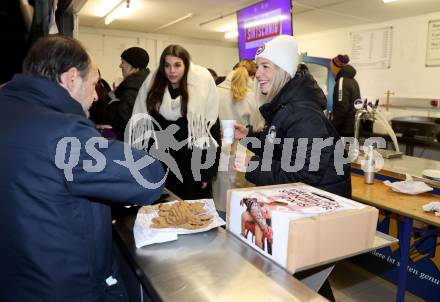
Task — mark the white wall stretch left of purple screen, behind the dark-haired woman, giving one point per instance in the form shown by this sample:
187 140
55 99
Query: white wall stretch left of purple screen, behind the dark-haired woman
106 47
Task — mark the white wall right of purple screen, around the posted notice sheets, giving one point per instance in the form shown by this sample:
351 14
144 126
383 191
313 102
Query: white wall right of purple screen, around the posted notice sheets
408 77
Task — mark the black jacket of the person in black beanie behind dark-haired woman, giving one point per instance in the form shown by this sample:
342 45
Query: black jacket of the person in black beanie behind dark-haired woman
118 113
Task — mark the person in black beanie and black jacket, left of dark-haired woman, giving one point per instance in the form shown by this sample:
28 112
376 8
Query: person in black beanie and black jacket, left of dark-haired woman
134 62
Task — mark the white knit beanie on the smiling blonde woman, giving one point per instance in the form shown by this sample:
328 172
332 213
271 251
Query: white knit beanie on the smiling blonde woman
282 51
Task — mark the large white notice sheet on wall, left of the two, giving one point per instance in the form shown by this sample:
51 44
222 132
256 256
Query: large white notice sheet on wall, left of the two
372 49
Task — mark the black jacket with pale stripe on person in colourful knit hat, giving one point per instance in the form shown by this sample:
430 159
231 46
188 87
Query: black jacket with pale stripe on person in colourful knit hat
343 110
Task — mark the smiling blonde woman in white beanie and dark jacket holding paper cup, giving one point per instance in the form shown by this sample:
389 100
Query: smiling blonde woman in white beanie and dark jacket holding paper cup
295 124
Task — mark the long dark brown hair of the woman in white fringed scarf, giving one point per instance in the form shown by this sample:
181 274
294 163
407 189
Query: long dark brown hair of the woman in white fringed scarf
160 82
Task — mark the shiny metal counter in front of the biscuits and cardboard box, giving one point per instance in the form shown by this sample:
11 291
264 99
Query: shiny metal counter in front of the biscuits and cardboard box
210 266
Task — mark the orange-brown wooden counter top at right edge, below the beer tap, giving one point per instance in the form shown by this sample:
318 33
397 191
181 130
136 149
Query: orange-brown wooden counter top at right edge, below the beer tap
383 197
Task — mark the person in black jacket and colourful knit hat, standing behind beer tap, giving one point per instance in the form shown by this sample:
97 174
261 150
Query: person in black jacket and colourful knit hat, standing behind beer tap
346 91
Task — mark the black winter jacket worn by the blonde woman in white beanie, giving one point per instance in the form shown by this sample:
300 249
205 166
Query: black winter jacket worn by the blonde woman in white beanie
294 117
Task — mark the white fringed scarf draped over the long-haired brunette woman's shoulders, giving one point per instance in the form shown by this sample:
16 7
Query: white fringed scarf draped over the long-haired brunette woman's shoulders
202 111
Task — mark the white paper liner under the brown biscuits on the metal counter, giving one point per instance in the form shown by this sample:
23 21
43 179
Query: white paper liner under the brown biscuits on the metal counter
145 235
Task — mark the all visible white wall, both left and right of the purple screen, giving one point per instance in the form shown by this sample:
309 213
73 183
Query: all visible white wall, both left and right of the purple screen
408 77
